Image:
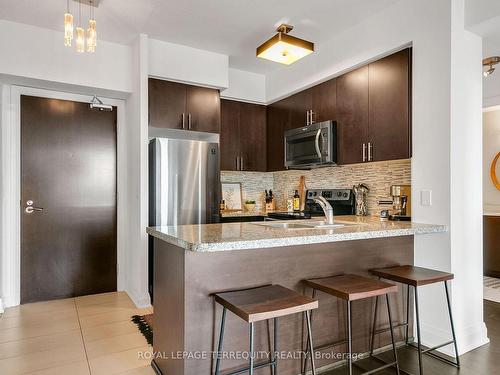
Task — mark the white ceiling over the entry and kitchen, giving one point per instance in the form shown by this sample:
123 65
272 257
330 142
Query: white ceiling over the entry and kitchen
232 27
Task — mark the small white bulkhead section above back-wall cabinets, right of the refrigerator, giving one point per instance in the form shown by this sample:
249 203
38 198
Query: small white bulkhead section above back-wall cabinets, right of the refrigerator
245 86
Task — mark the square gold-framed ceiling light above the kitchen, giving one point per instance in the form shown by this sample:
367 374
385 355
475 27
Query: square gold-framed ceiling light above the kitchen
284 48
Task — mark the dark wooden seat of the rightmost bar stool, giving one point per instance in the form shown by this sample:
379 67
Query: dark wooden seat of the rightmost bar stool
411 275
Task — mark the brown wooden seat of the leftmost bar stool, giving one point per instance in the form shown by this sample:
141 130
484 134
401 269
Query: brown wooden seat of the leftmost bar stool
267 302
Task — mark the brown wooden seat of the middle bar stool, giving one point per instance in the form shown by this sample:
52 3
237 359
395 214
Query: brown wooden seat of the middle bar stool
351 287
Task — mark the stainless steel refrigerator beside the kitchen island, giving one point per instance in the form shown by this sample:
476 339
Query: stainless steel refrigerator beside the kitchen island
184 181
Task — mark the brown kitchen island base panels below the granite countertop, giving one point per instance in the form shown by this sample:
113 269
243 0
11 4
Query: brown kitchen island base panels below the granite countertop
187 319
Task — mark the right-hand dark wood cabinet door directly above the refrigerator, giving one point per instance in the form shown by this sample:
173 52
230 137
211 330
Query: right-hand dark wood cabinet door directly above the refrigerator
203 108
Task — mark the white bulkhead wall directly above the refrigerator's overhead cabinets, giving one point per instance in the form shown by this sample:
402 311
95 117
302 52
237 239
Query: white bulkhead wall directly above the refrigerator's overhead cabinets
188 65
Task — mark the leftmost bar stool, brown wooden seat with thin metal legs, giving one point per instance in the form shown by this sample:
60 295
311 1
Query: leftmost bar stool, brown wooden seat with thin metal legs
258 304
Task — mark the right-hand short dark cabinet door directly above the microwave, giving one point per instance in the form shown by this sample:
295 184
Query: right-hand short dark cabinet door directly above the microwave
324 101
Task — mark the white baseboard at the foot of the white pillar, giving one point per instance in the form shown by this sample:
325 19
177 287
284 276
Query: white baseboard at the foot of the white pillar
469 339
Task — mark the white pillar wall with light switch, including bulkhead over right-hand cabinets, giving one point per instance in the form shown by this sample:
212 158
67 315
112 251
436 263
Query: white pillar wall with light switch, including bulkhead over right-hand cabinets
427 26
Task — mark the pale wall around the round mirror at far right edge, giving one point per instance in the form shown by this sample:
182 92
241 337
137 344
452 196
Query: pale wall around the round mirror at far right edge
491 146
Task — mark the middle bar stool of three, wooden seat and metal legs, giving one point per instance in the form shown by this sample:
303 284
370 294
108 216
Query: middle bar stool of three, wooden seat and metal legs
352 288
